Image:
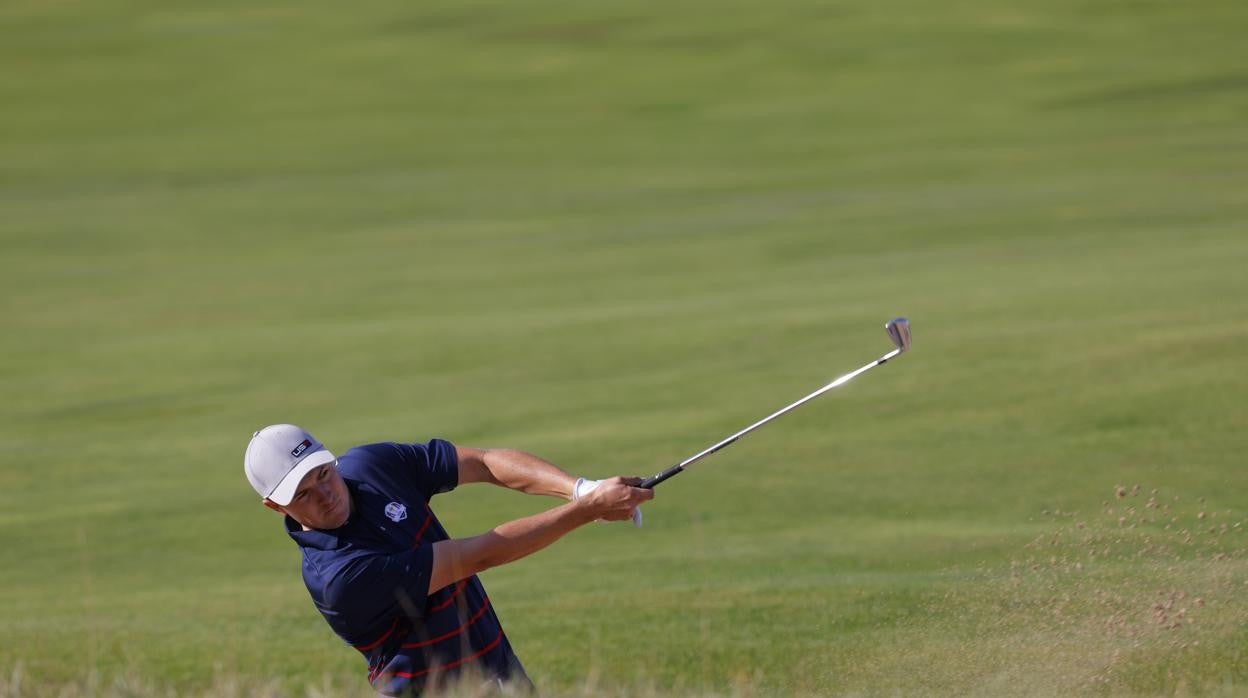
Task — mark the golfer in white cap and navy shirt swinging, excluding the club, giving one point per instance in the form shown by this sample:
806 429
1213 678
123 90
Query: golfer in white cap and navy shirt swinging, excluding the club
384 571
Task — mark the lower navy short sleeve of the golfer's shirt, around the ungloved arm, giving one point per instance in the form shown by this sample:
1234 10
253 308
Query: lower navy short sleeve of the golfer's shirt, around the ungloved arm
371 589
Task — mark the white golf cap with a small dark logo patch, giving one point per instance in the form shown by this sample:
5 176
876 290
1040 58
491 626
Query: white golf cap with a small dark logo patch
279 458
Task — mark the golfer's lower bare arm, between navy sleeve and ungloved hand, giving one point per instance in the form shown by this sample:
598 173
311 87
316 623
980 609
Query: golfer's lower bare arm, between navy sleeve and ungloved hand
464 558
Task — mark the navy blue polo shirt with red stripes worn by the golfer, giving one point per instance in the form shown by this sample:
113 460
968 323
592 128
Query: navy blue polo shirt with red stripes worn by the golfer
370 579
